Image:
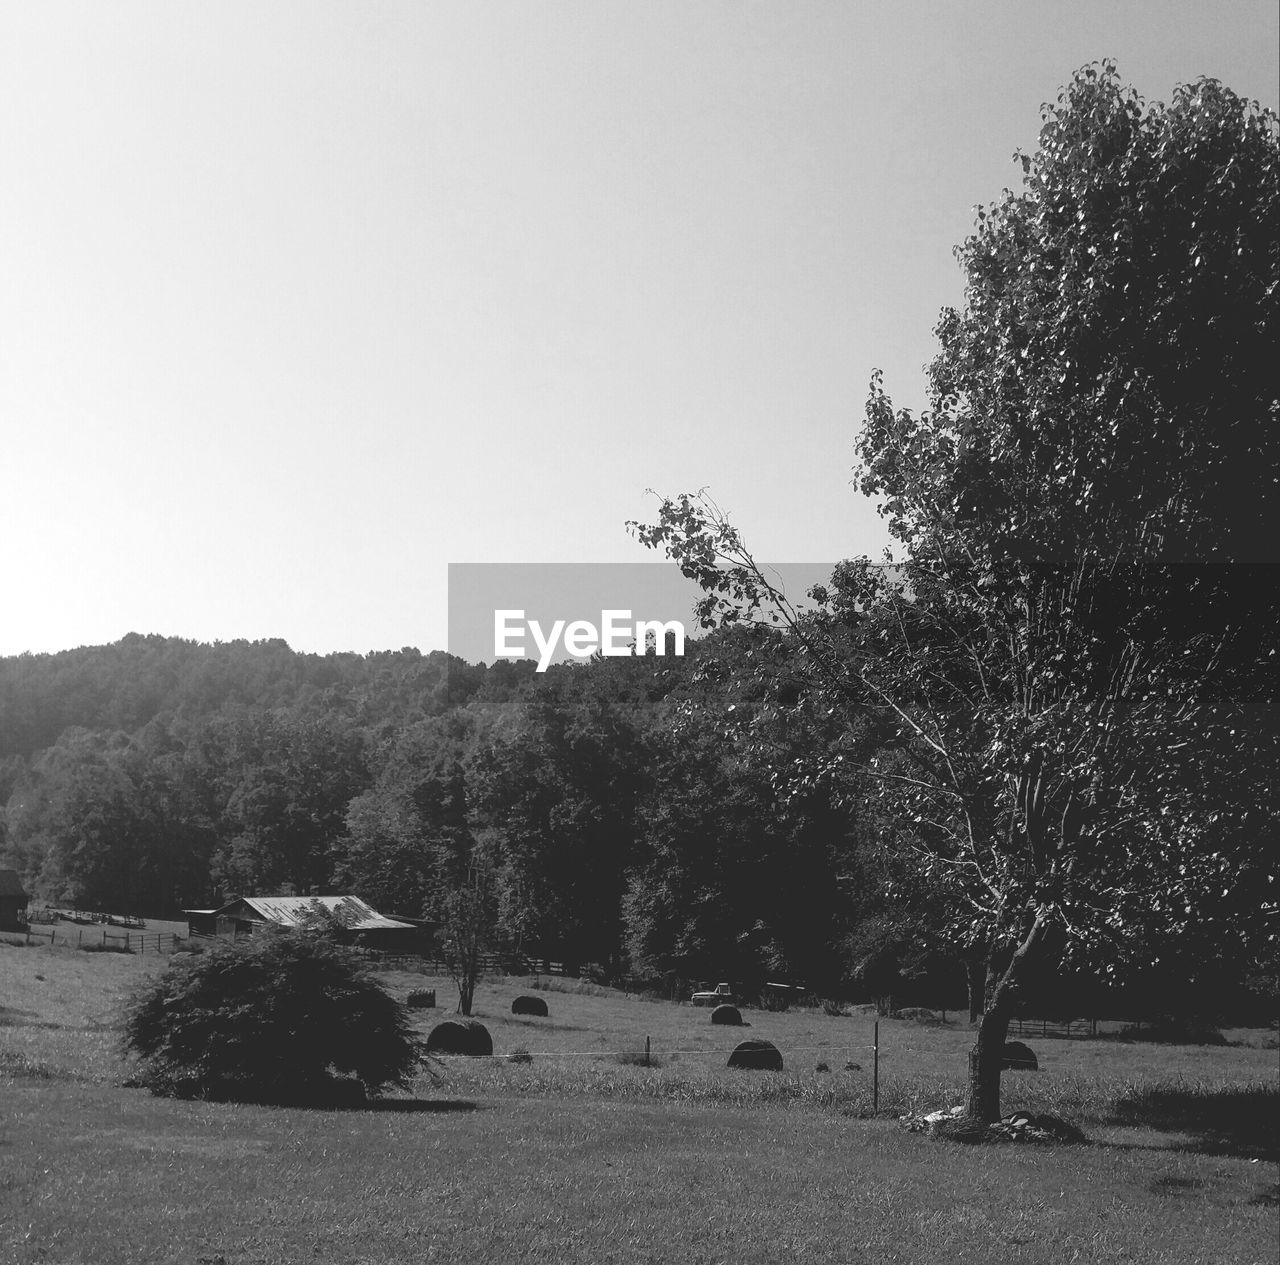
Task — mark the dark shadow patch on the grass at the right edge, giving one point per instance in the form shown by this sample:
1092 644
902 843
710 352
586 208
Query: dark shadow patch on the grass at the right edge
1241 1121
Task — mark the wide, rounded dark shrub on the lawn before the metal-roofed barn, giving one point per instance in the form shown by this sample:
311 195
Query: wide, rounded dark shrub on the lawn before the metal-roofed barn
276 1019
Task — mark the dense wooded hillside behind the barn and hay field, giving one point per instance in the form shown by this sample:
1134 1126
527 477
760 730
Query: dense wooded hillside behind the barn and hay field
615 805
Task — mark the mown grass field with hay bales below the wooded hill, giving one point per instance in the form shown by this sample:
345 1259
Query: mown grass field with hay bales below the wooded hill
580 1156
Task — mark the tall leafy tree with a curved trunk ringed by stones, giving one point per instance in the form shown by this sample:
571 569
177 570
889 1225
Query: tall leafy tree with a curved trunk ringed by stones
1076 670
